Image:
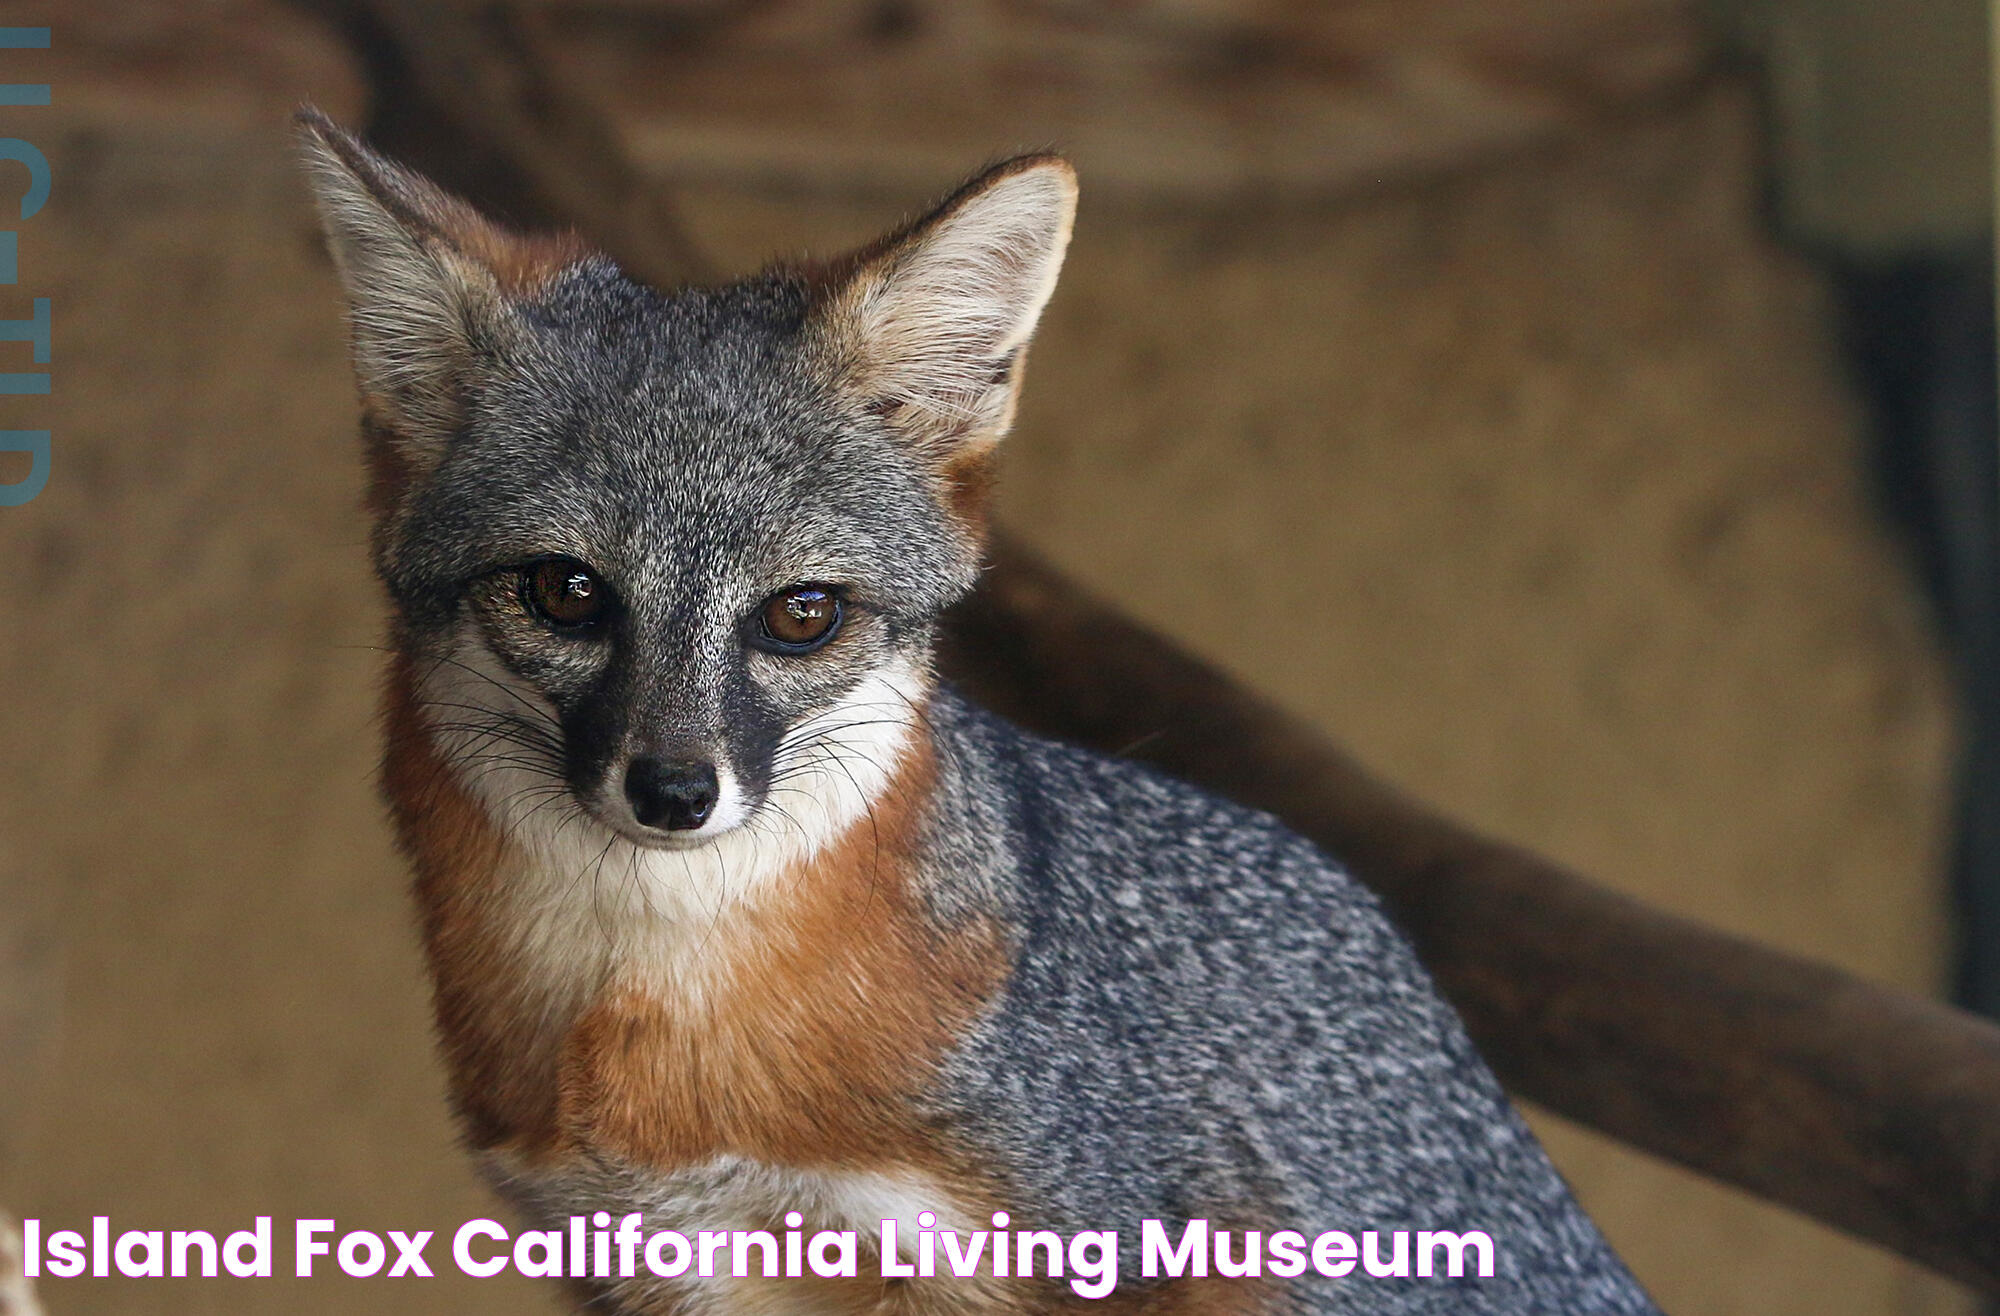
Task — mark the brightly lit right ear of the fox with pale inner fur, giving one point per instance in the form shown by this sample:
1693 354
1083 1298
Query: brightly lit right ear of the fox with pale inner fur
935 319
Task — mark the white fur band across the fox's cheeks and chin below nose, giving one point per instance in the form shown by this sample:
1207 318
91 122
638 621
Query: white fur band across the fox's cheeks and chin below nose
821 787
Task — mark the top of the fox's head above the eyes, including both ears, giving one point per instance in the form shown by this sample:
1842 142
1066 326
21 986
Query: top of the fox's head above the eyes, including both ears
525 397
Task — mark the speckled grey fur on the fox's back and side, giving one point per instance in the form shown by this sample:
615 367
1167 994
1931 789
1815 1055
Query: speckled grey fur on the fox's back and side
1209 1017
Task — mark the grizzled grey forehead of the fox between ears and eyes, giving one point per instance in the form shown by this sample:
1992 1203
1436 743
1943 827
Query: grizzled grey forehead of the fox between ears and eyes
699 431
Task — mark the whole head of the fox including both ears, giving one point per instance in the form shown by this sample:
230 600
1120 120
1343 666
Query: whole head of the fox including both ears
669 565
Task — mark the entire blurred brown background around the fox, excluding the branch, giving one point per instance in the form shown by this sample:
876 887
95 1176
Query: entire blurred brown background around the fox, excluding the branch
1583 409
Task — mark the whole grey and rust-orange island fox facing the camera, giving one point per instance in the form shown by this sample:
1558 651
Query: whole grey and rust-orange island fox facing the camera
743 921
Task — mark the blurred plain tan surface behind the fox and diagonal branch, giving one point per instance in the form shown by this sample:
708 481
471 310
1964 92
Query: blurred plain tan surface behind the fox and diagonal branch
1533 485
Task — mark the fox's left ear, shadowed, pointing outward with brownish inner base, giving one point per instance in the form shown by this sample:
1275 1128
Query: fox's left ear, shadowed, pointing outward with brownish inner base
427 285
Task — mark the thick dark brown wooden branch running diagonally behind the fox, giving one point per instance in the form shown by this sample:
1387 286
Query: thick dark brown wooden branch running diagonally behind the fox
1867 1109
